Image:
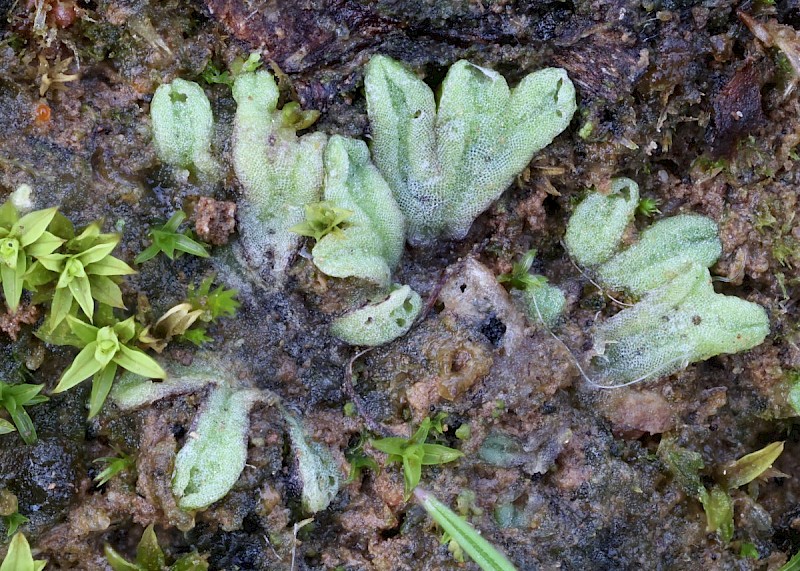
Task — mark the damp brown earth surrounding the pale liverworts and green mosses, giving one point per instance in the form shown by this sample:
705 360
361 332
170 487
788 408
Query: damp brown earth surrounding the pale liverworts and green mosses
677 95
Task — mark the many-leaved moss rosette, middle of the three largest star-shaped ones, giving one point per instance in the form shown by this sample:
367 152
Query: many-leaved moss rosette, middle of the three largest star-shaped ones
84 272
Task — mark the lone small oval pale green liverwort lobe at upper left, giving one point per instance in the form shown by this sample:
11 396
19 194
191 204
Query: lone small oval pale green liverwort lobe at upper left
183 126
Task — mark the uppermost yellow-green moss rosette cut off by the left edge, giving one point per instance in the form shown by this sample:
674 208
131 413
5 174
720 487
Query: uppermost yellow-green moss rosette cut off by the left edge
22 239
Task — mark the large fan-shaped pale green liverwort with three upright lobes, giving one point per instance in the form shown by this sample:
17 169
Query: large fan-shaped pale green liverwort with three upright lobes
448 158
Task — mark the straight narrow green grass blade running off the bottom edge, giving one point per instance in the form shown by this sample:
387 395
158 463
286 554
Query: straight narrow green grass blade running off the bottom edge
459 530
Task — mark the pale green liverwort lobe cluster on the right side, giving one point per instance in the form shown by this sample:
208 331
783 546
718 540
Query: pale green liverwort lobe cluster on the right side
677 318
